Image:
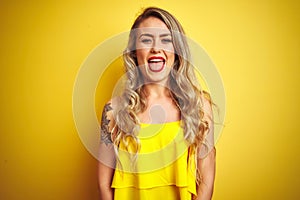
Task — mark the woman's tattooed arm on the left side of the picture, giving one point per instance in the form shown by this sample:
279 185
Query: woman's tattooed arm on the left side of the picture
106 159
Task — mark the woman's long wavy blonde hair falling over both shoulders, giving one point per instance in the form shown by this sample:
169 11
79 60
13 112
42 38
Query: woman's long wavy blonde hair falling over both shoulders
183 86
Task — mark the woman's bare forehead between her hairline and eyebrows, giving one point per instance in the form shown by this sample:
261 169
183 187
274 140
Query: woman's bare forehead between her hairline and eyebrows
153 25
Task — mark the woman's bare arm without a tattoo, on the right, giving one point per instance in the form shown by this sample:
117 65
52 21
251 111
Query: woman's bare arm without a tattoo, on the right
206 163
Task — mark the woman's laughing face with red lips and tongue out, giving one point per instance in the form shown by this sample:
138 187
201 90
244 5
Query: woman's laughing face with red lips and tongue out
154 50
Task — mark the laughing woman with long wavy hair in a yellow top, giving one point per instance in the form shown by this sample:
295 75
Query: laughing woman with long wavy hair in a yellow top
157 137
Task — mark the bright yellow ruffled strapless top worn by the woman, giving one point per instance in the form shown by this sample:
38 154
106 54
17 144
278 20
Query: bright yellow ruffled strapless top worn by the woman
163 168
